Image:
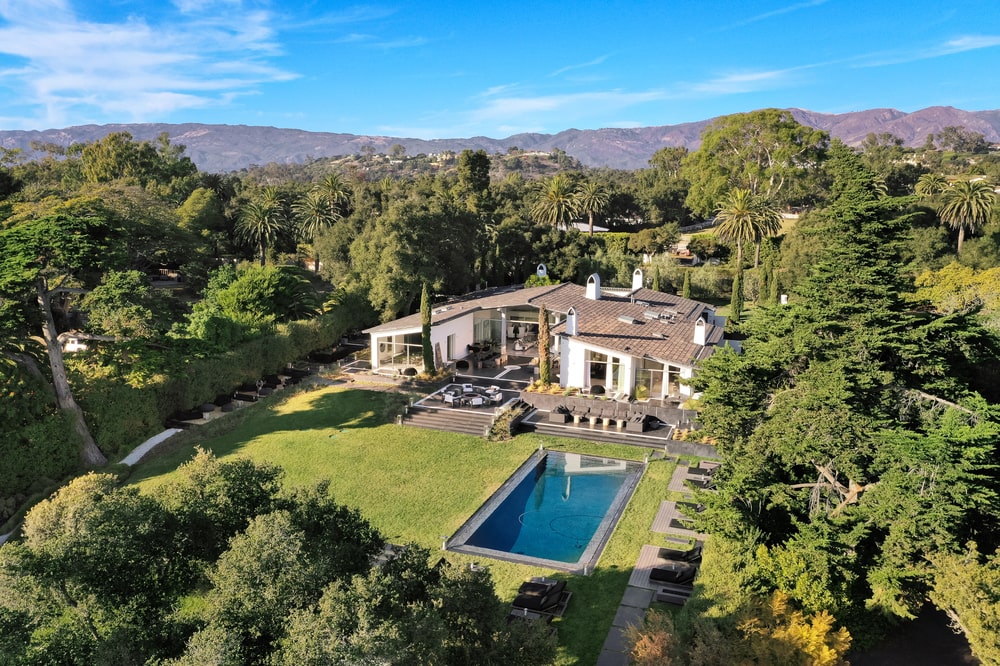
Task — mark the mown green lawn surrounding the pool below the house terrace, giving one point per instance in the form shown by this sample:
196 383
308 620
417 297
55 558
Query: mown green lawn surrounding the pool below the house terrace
417 485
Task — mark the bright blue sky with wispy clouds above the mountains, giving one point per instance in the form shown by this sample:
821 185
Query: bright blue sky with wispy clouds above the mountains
438 69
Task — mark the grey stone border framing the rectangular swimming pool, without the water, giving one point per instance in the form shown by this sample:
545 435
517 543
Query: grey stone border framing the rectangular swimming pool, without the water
591 554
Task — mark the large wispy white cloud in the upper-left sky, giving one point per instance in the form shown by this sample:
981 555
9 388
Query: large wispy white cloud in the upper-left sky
65 66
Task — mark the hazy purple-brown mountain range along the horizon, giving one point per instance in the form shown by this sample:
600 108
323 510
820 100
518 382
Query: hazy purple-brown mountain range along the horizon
223 148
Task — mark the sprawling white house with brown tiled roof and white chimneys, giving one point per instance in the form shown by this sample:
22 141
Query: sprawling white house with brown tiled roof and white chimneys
632 341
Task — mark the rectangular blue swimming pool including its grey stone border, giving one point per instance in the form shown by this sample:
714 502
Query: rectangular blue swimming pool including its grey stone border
557 510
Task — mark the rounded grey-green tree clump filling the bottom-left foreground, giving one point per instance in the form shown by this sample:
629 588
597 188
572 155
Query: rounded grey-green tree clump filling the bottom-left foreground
222 566
